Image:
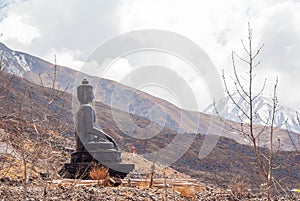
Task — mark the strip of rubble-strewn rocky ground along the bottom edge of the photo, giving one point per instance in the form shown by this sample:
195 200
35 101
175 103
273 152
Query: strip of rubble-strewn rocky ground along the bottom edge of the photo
127 193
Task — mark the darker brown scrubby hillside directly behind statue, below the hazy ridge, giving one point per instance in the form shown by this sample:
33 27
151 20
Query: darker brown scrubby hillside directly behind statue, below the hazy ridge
227 160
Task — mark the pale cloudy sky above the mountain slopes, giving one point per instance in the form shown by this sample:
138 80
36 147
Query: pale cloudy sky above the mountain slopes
73 29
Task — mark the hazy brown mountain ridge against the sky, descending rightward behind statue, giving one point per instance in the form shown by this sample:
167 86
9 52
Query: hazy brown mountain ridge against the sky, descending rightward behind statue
153 109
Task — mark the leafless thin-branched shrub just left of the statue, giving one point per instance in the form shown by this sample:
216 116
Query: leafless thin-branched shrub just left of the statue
46 124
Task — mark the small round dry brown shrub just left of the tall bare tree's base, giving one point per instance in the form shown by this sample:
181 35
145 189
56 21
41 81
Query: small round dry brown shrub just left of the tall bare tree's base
238 187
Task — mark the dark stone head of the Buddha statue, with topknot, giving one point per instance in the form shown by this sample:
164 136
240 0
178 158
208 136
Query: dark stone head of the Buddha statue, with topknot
85 92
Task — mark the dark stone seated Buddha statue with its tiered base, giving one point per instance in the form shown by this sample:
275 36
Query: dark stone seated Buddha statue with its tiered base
93 146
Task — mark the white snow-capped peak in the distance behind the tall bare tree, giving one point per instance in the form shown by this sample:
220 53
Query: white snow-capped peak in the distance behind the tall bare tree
285 118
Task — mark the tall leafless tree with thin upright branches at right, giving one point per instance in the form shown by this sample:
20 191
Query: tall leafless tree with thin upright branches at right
244 88
